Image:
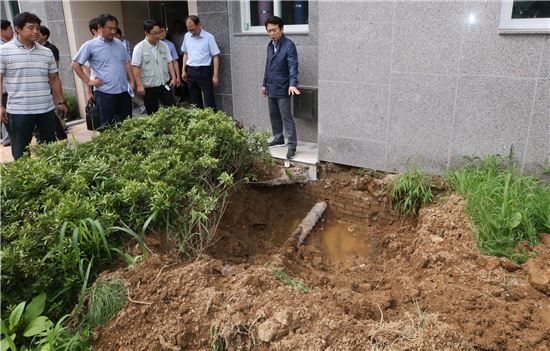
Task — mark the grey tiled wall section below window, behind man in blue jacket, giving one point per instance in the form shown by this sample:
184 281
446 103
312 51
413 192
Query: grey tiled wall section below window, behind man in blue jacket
248 53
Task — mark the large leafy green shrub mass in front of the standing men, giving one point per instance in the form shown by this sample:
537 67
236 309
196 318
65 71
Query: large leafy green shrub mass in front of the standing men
75 204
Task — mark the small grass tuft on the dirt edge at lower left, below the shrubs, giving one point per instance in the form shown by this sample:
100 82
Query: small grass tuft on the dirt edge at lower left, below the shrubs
106 299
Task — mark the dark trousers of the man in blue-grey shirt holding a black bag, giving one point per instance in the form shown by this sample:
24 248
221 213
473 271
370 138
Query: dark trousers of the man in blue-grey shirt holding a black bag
113 108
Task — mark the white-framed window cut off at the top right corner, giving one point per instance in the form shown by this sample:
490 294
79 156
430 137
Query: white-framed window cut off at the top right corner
529 16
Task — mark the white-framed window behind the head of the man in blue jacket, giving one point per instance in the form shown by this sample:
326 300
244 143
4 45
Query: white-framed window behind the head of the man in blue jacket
295 15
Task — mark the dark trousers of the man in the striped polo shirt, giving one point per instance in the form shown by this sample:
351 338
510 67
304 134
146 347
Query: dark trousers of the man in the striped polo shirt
22 126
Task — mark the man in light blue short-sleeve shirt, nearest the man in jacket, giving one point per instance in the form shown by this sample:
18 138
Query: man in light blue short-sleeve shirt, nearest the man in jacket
200 63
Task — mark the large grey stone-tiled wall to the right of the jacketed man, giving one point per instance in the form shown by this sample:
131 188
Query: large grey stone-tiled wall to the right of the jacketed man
417 82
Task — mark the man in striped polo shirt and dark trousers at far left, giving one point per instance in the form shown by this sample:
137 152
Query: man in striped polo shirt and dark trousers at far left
27 72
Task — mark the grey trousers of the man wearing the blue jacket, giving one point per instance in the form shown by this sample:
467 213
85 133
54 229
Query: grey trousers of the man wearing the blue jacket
280 115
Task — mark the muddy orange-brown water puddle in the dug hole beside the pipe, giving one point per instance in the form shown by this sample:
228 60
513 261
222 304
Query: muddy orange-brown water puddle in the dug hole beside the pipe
344 242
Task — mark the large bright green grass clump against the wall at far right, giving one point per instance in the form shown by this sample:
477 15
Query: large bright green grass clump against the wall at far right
505 206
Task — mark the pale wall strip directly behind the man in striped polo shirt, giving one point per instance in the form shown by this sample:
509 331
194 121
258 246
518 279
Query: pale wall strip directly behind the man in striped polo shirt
52 16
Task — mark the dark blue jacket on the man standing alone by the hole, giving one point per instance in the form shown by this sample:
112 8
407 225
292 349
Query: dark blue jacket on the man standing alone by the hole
281 68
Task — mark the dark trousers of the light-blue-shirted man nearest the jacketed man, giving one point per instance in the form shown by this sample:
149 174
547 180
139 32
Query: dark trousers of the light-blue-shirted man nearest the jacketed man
199 79
